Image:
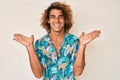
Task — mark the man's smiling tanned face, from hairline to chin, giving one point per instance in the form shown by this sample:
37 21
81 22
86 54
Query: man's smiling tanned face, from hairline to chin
56 20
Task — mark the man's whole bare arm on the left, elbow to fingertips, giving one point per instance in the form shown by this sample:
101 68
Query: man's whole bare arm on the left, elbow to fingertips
34 62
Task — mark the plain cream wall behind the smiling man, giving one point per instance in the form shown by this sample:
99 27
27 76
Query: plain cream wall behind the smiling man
23 16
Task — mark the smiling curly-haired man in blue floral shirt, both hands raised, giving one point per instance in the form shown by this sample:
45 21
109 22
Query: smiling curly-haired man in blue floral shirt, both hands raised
58 55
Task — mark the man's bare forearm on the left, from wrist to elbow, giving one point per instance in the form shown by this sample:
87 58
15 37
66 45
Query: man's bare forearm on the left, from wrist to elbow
34 62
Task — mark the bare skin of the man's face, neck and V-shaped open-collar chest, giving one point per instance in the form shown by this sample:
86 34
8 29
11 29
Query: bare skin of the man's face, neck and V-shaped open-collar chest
57 33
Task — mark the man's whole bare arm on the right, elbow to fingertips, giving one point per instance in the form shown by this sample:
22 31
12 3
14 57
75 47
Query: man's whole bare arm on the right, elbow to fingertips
80 57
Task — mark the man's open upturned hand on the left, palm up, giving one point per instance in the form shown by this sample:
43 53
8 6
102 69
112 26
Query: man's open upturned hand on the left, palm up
26 41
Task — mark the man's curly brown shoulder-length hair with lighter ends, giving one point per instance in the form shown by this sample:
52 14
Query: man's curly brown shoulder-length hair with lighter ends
67 13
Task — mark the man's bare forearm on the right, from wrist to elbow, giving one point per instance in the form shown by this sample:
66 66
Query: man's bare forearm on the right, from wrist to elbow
80 61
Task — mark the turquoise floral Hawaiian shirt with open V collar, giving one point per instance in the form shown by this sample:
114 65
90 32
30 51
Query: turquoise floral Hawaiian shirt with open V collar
57 67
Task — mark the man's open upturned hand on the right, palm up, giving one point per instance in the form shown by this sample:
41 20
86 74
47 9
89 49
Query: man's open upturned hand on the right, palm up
86 38
